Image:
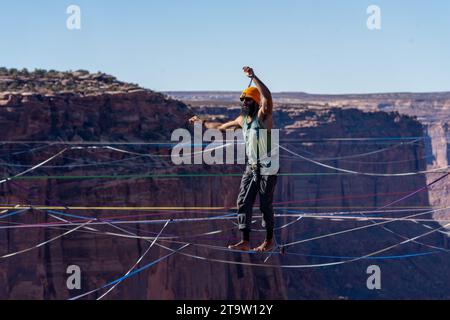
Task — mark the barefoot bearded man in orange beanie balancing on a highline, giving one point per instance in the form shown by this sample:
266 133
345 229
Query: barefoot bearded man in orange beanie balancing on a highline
256 114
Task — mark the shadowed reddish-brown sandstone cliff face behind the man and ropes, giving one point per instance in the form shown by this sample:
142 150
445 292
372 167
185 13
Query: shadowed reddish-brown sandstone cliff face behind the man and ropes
143 116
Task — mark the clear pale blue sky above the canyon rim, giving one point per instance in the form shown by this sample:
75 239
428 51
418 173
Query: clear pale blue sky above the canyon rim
316 46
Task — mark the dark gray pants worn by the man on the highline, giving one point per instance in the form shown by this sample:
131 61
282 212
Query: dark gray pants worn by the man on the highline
252 183
